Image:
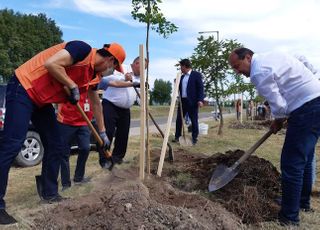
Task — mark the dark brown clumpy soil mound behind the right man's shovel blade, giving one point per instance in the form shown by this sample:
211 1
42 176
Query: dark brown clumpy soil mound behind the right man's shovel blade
250 195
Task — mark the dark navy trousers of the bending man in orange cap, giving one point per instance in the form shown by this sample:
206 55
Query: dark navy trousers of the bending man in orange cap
19 110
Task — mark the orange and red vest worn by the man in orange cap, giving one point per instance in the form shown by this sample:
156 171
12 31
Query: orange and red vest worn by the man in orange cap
43 88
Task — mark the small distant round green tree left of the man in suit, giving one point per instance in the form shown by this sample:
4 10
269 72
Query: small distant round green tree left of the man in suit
161 91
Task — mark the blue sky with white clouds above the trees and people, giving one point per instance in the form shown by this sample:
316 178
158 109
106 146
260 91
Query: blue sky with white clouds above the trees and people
285 25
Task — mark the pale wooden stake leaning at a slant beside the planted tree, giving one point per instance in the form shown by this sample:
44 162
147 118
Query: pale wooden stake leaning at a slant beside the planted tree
167 132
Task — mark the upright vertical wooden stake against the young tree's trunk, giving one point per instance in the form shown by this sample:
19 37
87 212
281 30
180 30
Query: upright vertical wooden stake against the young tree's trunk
142 114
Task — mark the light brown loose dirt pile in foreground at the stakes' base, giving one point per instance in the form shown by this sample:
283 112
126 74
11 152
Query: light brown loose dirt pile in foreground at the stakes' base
122 202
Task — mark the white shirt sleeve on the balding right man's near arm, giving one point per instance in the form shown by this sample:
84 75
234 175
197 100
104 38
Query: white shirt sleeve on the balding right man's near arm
268 88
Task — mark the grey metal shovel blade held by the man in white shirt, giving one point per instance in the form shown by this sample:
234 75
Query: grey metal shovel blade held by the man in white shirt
221 176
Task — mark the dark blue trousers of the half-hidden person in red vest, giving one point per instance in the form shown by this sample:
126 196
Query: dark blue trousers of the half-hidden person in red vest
82 135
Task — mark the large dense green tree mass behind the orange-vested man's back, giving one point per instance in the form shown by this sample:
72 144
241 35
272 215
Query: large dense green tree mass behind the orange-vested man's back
22 36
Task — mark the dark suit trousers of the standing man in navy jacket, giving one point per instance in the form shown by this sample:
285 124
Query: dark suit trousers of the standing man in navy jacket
192 111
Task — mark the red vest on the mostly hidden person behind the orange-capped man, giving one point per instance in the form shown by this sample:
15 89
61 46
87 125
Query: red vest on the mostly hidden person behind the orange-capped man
69 114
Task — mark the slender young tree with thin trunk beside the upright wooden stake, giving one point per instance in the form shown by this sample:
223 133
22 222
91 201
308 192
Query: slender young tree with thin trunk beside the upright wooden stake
148 11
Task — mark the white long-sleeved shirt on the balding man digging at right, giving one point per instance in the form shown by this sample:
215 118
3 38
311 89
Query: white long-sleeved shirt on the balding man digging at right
283 81
